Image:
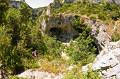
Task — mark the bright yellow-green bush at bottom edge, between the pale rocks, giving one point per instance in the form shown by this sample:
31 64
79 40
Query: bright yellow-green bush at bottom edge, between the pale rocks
77 74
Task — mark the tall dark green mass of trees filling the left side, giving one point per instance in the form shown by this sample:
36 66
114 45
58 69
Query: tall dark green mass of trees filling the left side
16 44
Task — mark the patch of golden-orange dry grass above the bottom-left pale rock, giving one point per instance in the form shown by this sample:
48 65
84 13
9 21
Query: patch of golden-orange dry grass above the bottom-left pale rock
56 66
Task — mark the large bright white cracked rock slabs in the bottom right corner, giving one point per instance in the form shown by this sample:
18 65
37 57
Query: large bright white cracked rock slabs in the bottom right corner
108 61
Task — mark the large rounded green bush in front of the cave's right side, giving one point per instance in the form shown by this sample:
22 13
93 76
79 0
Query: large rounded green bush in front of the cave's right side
83 47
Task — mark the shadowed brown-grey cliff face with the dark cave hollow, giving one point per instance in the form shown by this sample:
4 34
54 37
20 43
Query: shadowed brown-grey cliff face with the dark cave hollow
59 26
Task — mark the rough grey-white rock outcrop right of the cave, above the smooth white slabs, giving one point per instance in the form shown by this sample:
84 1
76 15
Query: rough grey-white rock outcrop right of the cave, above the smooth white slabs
99 33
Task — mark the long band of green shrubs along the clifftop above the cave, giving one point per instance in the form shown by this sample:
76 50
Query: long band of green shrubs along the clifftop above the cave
105 11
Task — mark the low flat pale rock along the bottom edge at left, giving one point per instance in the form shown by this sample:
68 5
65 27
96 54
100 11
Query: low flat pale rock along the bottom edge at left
36 74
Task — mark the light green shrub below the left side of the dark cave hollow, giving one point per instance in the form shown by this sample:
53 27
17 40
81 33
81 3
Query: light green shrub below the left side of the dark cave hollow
53 47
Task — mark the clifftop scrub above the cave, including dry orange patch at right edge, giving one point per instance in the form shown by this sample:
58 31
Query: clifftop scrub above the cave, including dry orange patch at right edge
109 13
